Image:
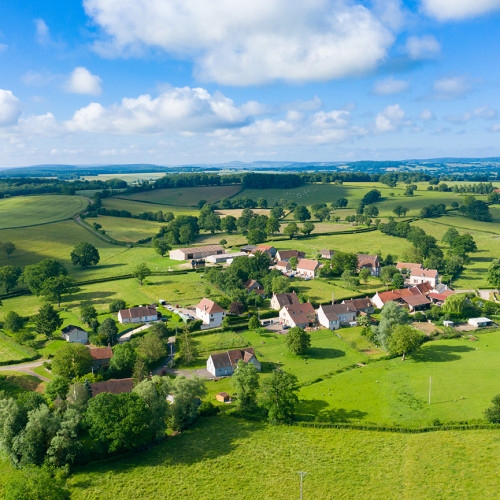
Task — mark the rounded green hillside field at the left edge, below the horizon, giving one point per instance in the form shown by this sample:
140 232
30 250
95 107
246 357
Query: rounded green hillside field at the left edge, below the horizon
22 211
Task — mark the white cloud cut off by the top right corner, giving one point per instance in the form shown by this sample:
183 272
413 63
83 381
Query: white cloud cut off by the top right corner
445 10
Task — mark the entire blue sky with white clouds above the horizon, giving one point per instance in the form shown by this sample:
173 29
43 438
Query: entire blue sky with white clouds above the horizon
209 81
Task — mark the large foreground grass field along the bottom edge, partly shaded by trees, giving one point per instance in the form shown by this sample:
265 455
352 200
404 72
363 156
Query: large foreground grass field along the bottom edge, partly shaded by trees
254 460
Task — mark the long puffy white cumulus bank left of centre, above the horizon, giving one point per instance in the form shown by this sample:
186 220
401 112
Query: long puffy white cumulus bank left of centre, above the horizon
177 109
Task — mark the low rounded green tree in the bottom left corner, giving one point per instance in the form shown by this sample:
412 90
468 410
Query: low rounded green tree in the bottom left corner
36 483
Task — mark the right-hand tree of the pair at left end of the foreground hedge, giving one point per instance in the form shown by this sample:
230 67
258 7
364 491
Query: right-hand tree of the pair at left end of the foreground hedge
279 396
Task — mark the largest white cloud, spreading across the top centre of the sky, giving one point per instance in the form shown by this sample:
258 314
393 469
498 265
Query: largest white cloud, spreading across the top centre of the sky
241 42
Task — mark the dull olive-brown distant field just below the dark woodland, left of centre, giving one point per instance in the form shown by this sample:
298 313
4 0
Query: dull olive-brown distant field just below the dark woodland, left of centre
185 197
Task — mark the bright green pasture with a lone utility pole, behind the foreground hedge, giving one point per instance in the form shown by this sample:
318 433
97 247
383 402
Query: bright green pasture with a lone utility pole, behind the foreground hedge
464 380
